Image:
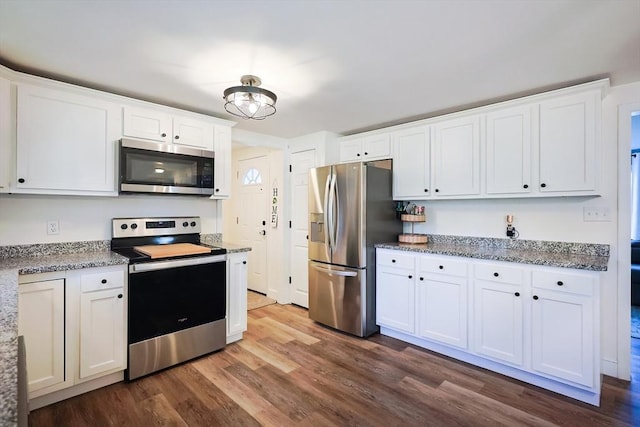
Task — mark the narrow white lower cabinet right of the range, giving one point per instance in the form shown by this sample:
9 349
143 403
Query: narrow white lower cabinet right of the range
236 295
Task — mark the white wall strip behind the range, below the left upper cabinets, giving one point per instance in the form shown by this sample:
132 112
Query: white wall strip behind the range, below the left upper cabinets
23 218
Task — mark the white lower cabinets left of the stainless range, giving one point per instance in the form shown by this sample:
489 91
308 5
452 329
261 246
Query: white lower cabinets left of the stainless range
74 327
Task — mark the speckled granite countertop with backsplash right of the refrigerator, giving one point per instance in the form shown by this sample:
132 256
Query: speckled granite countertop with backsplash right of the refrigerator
583 256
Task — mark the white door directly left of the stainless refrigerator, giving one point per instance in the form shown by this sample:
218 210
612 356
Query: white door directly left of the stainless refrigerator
301 162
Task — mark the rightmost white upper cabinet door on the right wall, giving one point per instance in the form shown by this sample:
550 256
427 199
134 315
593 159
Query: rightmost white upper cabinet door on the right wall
568 129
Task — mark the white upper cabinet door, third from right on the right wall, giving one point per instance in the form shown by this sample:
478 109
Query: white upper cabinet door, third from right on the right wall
456 157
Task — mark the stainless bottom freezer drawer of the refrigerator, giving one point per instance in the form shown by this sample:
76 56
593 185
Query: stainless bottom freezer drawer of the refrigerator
338 298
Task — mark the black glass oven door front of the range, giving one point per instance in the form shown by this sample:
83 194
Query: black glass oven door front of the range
169 300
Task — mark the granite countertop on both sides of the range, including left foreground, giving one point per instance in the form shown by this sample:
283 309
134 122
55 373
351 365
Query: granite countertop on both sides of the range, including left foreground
43 258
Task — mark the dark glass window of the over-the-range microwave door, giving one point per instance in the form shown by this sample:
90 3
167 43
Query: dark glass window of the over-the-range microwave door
152 168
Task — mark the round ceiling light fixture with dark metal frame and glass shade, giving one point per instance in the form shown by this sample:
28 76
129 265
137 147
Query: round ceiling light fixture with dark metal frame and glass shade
250 101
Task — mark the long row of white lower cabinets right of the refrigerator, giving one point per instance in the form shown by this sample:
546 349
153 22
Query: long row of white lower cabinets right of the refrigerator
534 323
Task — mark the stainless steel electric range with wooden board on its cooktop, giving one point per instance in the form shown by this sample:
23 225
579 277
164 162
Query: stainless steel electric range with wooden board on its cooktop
177 292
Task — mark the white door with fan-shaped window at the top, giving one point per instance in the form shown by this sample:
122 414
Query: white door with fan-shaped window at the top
252 218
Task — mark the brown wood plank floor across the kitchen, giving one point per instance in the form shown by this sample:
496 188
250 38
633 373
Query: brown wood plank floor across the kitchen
289 371
